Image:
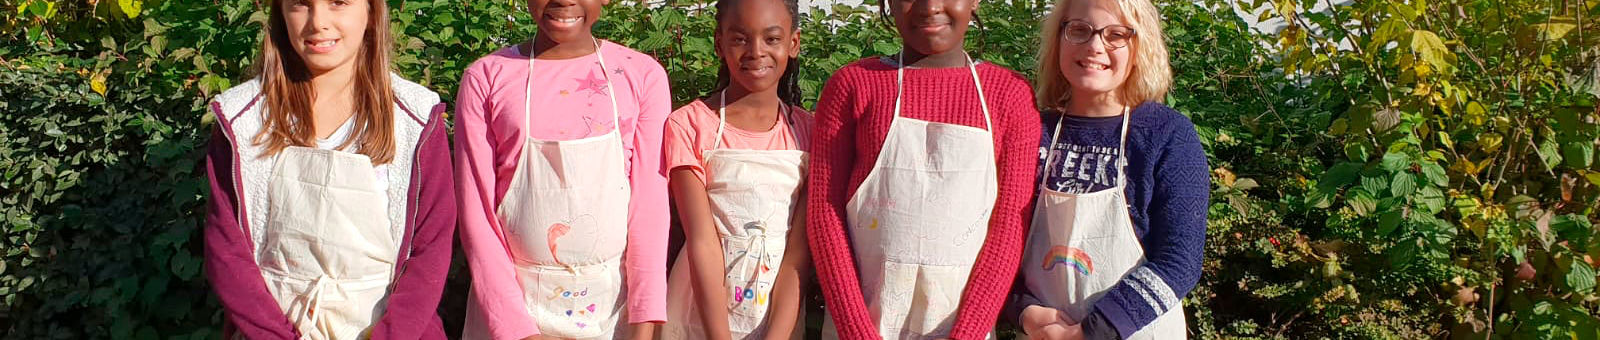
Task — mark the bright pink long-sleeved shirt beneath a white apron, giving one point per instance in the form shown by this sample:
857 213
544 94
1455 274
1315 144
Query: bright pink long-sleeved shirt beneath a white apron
569 103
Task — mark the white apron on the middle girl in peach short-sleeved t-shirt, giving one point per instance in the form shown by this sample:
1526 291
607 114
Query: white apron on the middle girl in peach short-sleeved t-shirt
753 200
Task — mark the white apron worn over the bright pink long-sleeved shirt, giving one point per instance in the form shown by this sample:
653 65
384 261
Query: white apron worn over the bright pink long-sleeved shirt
566 222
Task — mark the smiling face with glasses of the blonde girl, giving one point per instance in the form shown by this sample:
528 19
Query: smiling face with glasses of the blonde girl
1095 67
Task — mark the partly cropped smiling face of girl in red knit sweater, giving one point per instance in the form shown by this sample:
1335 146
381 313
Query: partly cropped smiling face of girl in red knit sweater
932 26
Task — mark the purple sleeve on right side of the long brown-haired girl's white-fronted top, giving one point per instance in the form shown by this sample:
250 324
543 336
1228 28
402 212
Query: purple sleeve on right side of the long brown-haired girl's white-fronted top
412 310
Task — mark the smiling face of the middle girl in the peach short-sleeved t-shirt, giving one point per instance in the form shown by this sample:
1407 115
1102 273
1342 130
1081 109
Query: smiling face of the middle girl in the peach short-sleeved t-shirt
756 39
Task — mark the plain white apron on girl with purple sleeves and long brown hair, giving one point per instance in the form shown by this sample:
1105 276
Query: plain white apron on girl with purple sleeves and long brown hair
329 251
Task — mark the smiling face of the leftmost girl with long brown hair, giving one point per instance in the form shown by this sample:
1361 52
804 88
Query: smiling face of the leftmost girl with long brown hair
327 34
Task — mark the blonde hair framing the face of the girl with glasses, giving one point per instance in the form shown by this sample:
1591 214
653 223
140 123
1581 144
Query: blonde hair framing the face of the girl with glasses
1150 78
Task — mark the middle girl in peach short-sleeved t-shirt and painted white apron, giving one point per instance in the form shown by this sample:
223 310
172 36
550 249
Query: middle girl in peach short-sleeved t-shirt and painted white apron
738 168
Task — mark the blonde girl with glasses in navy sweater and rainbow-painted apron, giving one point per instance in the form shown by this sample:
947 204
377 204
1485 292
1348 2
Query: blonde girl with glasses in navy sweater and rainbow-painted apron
1119 222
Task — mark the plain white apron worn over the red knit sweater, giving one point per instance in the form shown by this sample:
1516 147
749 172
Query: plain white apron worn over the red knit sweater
919 219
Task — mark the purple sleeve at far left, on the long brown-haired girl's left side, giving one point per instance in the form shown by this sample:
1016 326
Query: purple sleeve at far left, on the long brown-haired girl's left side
230 262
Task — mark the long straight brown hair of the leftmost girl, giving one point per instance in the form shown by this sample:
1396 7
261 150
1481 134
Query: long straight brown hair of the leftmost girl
286 83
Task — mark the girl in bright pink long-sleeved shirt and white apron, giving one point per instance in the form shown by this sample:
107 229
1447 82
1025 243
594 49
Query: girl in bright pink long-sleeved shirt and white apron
564 209
